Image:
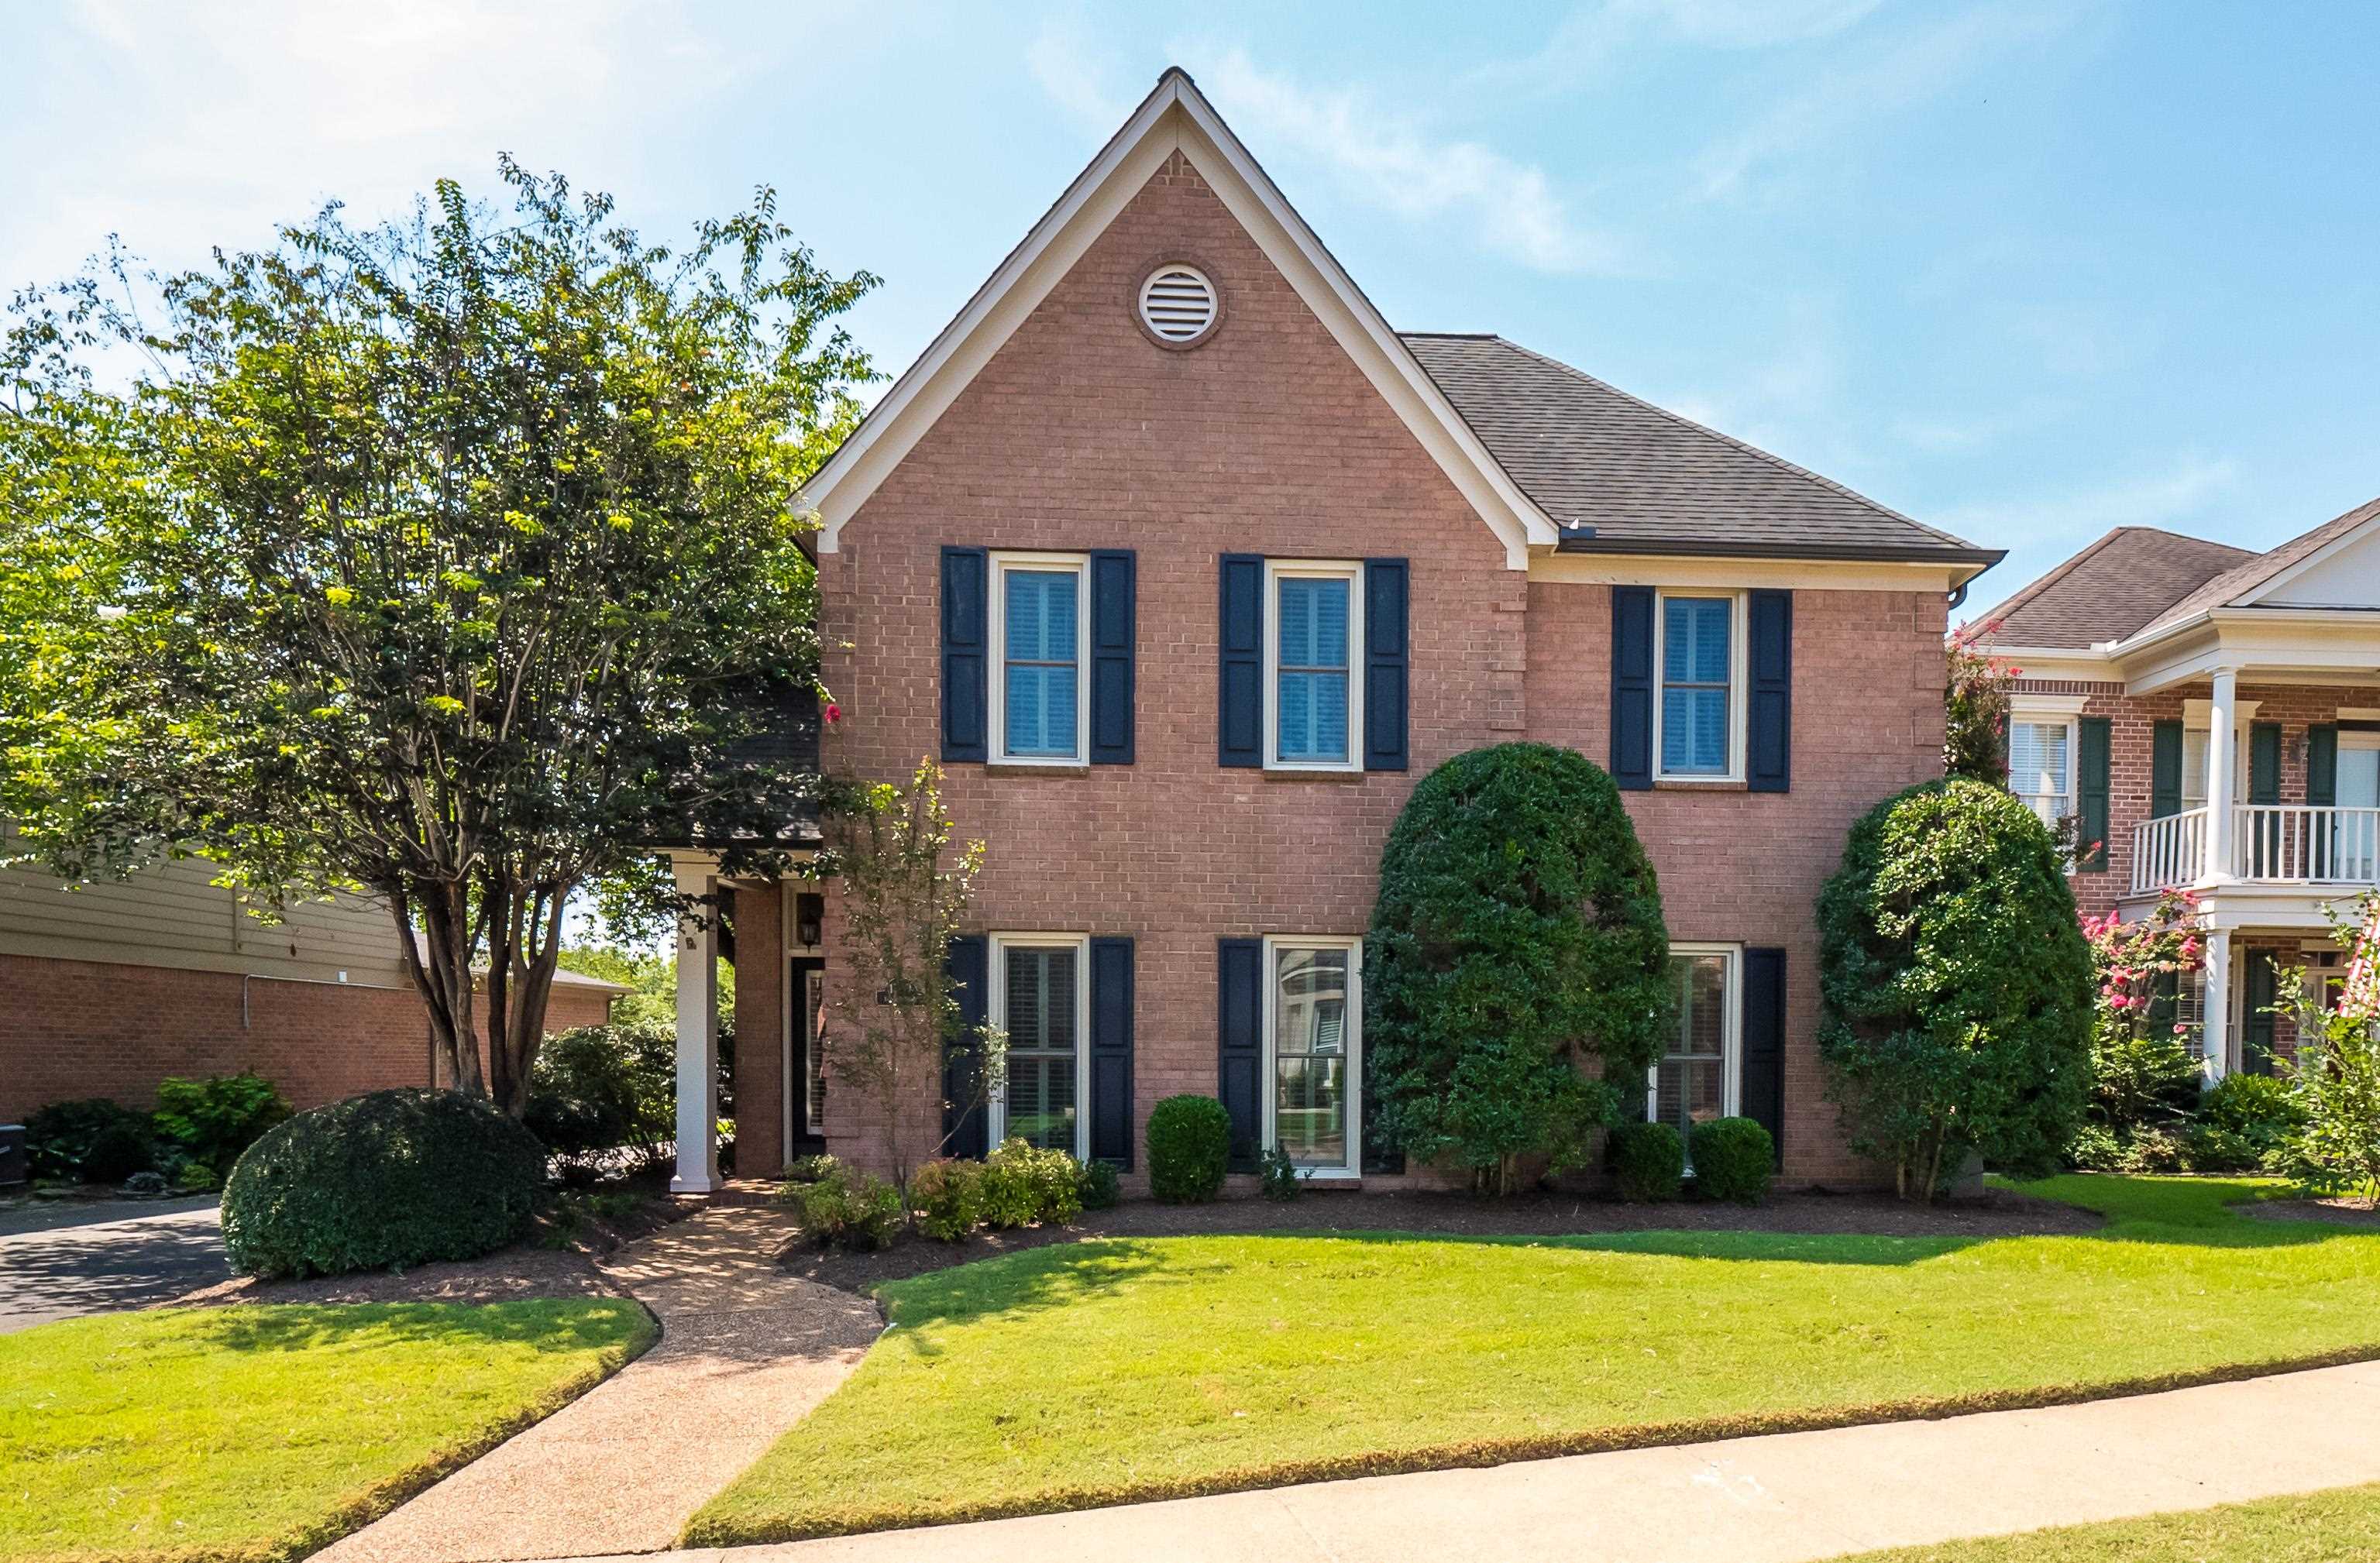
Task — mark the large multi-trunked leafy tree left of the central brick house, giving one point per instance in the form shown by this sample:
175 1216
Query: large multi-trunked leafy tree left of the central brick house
451 560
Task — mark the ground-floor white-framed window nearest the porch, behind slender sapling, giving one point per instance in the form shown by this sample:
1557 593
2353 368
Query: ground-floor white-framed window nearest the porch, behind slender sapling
1041 1000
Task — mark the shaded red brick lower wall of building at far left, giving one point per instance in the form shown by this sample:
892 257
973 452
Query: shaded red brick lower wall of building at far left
84 1029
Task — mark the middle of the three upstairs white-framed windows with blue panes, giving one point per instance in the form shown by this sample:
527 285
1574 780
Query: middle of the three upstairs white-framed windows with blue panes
1313 629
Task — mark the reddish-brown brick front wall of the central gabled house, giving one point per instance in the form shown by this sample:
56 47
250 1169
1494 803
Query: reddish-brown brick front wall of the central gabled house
1082 434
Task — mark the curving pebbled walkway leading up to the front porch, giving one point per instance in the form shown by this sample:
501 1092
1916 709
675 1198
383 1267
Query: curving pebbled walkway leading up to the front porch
746 1352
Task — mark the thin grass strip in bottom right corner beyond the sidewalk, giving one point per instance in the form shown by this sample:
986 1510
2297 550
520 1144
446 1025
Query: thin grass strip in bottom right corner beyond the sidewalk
2341 1526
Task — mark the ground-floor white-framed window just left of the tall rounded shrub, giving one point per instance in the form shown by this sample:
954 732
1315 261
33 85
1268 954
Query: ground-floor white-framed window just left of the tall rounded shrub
1315 1053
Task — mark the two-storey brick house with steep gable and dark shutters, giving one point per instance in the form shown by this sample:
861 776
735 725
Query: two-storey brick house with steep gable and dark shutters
1189 567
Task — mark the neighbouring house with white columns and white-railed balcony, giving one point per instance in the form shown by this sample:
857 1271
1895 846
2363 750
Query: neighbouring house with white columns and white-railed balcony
2212 720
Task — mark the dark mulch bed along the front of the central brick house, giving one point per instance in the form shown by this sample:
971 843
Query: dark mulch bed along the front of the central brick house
1998 1214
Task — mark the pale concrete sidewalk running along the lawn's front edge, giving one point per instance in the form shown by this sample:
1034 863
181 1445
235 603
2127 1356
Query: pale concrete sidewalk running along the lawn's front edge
1772 1500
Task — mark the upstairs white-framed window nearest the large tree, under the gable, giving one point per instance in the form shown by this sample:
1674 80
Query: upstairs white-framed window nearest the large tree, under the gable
1041 651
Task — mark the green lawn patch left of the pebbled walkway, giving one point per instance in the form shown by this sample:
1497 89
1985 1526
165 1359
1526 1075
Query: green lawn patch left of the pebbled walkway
263 1433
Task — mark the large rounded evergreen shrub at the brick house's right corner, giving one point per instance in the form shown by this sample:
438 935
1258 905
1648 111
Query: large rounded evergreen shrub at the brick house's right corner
1958 988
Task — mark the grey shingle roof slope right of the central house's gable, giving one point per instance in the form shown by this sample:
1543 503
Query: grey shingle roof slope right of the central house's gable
1643 477
